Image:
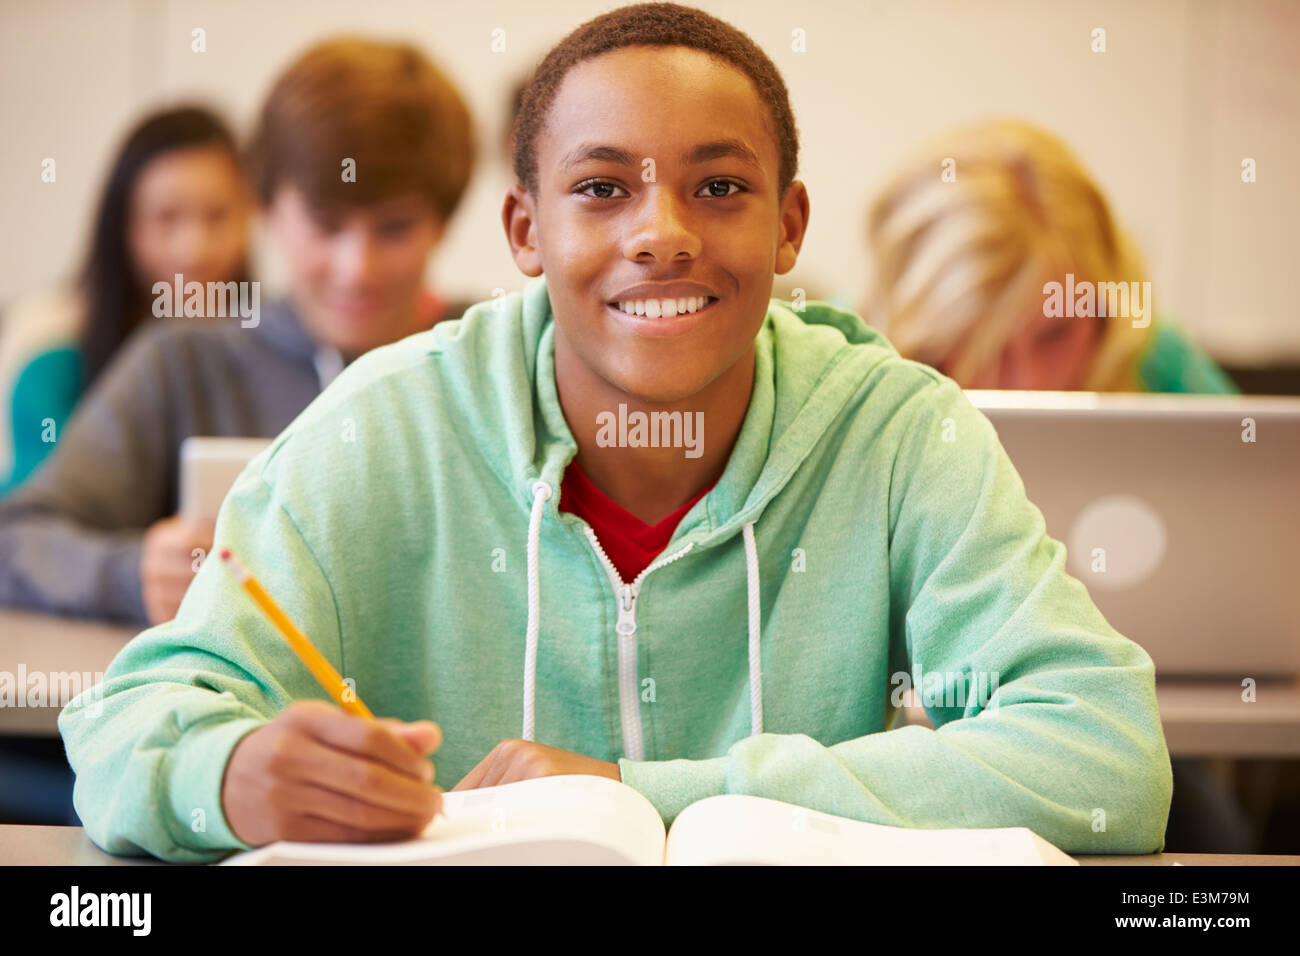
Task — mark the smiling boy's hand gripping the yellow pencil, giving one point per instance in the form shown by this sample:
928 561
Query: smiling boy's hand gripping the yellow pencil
319 775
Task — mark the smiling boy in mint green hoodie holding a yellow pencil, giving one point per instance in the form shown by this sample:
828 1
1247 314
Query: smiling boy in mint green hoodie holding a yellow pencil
523 582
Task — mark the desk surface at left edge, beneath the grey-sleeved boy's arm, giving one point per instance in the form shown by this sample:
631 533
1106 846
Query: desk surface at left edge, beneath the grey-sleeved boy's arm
57 648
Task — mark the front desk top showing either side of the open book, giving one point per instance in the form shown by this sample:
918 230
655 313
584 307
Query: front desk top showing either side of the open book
68 846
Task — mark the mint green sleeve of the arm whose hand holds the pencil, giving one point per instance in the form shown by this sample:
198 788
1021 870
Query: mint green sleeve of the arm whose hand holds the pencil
150 745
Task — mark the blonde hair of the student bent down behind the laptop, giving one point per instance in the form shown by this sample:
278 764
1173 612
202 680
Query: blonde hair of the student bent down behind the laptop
964 240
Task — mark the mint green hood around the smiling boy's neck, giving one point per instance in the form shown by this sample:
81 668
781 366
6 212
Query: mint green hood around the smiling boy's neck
807 370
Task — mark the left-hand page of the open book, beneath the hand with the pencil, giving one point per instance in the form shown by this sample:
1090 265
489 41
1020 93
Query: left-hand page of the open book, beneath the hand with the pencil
565 820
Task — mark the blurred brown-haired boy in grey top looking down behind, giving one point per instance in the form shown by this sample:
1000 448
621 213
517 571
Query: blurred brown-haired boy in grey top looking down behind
361 158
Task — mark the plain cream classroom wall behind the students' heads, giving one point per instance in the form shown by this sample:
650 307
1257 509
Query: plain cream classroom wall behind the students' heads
1164 119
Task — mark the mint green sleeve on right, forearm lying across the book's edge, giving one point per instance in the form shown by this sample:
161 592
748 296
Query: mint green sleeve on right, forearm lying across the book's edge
1069 745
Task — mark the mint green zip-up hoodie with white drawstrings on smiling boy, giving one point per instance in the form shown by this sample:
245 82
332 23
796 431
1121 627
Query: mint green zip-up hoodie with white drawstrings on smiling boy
868 507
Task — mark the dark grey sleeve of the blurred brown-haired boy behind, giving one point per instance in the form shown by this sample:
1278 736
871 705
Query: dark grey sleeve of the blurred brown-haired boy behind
71 537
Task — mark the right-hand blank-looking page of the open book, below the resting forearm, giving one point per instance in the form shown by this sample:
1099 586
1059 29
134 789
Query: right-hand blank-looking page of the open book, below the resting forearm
747 830
